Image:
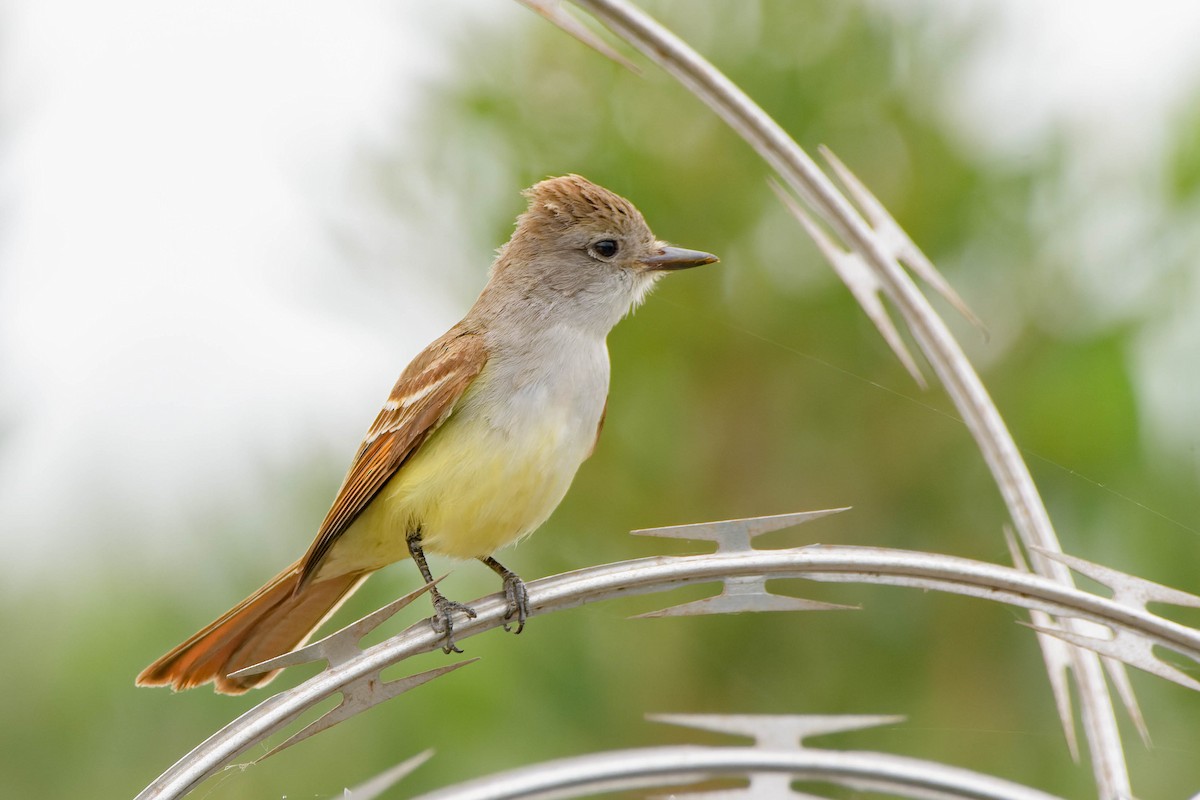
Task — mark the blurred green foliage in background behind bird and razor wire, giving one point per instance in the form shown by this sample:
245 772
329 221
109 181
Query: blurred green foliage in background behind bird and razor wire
755 387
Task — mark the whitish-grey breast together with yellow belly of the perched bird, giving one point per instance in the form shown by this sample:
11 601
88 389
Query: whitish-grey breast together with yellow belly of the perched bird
500 465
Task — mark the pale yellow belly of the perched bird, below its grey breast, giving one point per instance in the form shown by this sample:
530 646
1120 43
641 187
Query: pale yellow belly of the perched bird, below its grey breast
471 490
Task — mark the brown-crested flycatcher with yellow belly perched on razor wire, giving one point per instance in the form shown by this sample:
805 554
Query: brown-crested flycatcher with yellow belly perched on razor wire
481 437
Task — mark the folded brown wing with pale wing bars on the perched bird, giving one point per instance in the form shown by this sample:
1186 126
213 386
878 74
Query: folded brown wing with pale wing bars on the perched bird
423 399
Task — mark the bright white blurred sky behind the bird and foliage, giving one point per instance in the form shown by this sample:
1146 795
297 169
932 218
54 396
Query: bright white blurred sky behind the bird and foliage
176 181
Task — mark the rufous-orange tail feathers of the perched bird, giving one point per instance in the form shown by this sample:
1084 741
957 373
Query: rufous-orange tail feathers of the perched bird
272 622
